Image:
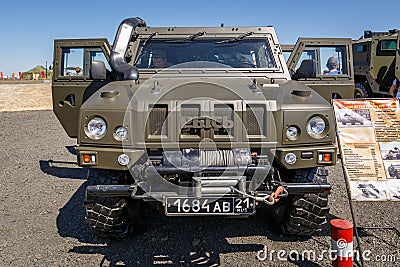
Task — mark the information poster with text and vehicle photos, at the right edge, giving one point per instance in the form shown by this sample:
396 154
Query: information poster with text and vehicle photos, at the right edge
369 138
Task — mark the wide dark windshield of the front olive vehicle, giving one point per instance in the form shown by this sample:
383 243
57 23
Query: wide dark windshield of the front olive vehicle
250 53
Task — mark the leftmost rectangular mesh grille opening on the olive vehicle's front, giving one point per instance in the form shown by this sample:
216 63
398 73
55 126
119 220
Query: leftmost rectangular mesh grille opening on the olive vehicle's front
157 123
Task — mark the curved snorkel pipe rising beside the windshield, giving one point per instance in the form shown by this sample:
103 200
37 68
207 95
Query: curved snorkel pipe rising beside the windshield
121 42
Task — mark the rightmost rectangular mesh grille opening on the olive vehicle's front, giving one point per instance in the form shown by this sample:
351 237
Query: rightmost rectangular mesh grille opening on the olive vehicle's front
255 119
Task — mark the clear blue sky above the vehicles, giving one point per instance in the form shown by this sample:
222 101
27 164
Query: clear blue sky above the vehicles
28 29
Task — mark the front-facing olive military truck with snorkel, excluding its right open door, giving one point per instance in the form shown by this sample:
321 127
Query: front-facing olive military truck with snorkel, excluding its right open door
219 130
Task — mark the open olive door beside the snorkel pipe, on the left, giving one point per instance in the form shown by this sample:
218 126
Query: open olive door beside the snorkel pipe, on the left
78 72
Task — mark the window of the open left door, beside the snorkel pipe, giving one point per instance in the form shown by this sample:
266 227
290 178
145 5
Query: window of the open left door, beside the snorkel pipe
76 61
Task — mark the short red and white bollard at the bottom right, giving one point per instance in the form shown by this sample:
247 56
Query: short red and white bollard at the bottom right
342 243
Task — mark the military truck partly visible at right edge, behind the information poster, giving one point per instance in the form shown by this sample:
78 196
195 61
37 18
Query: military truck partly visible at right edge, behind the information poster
376 63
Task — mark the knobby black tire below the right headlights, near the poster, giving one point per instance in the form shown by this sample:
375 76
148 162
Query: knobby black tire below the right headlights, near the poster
306 214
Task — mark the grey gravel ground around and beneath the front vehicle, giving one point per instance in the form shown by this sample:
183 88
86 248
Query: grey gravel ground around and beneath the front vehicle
42 216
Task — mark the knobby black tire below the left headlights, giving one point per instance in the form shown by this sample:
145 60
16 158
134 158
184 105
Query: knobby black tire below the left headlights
107 216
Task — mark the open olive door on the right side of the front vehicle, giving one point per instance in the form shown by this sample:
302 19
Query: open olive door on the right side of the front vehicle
307 62
